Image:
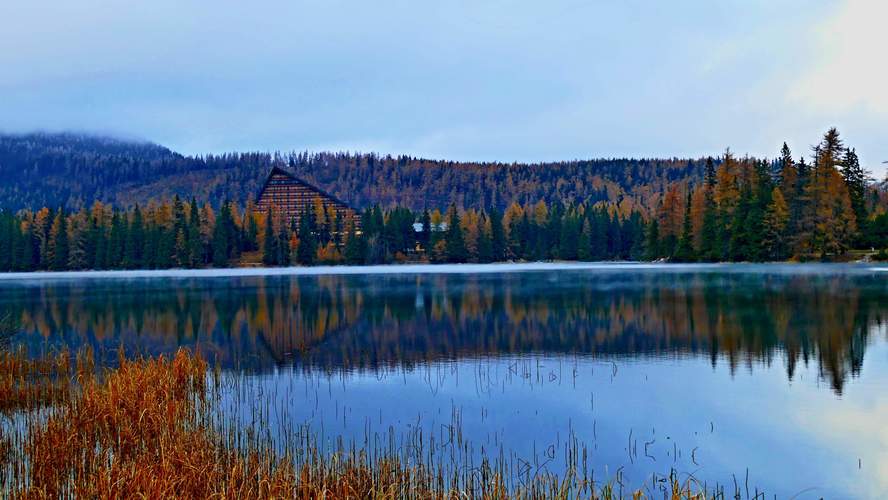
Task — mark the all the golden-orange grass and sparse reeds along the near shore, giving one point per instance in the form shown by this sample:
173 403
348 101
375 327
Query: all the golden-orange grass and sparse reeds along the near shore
145 430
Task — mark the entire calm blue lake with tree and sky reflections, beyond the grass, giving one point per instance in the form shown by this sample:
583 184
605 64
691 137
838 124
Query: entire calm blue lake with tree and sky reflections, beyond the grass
767 377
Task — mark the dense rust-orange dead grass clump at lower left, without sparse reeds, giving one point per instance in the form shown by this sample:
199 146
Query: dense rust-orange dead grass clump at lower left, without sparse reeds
139 432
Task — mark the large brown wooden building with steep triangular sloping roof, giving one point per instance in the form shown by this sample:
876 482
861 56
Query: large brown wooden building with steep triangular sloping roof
287 194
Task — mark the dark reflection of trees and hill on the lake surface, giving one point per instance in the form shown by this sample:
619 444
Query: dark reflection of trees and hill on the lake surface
365 322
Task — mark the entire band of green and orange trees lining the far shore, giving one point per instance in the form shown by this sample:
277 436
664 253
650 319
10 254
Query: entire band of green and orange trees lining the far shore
738 210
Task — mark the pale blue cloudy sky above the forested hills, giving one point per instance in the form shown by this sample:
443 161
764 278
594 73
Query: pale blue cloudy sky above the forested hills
463 80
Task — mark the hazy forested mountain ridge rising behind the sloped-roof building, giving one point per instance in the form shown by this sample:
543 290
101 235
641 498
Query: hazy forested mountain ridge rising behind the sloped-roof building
72 170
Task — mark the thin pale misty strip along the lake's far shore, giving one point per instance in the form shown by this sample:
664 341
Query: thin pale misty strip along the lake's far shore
390 269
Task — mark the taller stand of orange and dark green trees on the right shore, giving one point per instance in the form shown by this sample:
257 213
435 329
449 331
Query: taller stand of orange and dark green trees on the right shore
753 210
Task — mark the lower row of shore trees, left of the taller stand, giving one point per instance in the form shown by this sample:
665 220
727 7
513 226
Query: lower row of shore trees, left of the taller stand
179 234
